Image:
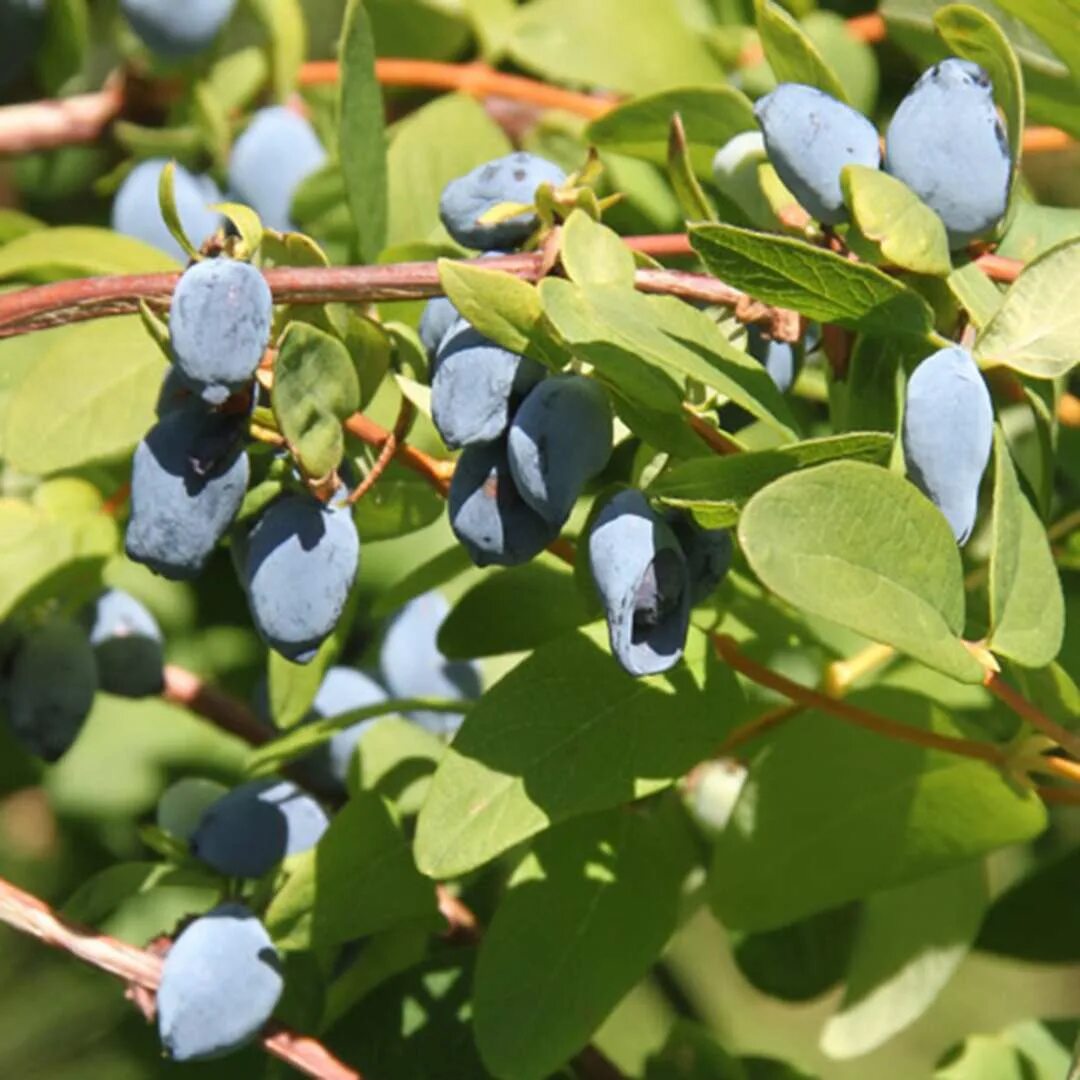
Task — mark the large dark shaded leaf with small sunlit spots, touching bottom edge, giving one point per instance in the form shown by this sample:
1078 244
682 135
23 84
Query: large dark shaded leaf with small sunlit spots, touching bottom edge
587 914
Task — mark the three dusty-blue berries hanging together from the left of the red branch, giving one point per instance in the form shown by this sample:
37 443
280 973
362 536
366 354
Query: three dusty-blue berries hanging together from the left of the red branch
192 471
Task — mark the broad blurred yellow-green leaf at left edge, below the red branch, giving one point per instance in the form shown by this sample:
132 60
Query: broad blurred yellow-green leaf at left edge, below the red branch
89 397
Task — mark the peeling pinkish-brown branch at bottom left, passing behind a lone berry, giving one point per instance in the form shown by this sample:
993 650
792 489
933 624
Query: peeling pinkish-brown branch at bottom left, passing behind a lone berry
29 915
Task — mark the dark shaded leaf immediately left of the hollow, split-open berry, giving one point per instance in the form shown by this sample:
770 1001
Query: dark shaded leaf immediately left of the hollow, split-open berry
514 611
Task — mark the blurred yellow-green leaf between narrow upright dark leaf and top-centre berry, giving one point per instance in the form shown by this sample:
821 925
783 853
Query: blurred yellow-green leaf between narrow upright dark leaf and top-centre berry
433 146
